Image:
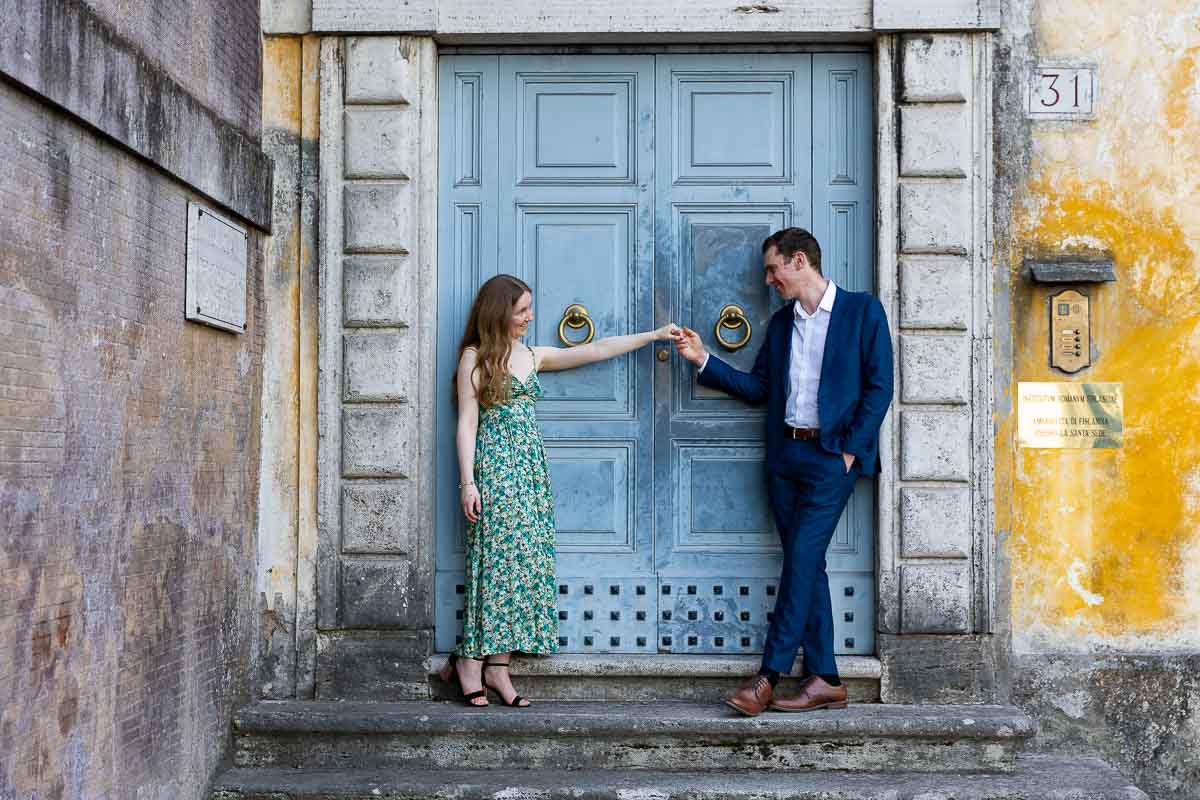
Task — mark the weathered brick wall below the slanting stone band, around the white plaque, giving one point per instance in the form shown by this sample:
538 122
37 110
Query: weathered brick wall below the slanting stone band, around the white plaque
129 444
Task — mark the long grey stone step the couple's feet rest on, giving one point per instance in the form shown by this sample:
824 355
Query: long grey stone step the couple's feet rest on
560 735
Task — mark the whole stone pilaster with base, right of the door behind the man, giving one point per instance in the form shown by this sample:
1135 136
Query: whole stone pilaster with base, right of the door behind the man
938 152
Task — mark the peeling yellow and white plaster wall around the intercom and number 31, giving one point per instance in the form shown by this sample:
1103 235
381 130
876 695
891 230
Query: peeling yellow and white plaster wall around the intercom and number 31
1106 545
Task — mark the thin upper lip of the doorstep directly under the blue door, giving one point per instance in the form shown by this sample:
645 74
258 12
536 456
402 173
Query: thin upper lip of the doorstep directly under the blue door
662 666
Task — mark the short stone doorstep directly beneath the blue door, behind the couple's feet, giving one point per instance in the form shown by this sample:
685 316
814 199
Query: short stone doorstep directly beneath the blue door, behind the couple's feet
701 679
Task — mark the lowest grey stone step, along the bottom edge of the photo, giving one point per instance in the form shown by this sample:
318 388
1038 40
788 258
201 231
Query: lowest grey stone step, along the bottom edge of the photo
1036 778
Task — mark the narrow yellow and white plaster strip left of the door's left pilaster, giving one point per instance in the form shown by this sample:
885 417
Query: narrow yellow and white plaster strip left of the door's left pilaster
289 479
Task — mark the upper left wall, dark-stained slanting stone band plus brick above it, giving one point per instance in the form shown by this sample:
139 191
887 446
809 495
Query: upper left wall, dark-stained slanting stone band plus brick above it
178 85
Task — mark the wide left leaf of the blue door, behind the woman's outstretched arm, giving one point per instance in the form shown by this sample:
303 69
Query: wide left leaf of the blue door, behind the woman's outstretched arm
578 226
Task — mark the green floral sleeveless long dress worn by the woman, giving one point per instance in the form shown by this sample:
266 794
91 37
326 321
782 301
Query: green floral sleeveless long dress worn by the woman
511 601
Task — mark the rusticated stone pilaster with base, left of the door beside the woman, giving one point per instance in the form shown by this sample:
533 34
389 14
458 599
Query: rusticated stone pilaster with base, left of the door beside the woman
376 408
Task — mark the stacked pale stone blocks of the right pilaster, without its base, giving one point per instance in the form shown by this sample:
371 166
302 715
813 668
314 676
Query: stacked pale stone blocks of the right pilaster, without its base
939 252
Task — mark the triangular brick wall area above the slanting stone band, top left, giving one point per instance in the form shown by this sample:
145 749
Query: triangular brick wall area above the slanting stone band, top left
212 47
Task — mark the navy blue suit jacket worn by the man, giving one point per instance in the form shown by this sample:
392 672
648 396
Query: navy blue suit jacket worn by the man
856 378
